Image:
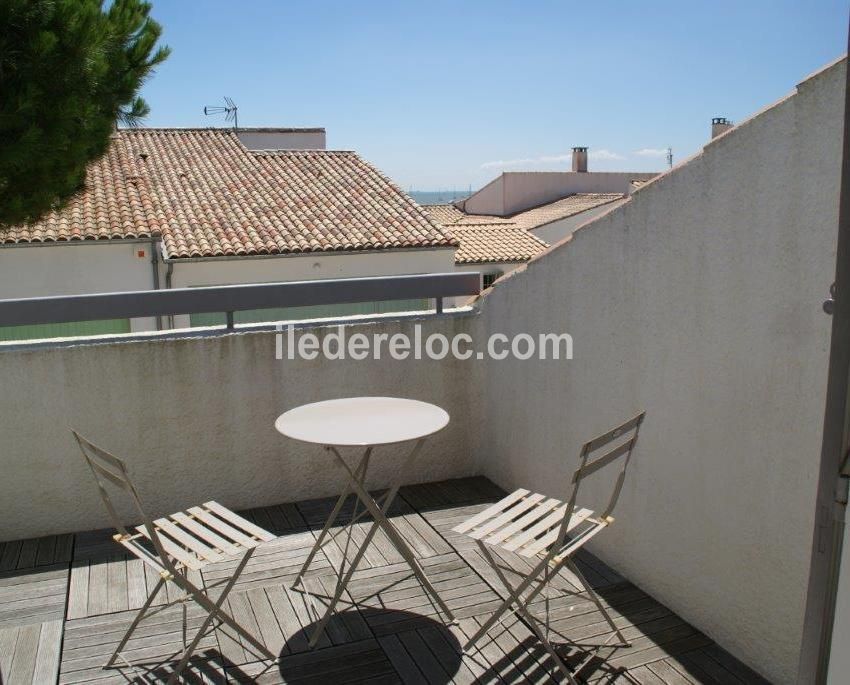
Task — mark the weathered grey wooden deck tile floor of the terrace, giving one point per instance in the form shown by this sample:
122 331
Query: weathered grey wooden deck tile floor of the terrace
65 601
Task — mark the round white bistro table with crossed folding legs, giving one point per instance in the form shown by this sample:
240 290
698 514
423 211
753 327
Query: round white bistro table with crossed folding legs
364 422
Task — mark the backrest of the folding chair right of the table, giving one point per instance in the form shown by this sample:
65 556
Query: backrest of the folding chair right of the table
613 446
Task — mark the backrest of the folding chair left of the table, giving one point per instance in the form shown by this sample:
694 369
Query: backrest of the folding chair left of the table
108 470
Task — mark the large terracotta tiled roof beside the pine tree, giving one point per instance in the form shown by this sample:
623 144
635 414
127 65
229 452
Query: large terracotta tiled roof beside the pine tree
206 196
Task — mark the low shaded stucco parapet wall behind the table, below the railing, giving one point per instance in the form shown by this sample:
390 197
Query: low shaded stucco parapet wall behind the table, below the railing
194 419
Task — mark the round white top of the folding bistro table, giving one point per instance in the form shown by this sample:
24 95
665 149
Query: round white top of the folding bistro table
362 421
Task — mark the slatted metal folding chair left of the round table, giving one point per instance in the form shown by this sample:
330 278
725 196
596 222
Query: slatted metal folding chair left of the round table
175 545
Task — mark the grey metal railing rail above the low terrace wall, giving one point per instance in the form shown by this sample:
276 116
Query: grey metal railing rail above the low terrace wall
233 298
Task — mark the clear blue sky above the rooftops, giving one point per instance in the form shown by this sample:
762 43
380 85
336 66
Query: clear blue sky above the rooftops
443 95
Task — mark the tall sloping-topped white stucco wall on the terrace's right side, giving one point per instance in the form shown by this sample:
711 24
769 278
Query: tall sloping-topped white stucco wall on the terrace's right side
700 302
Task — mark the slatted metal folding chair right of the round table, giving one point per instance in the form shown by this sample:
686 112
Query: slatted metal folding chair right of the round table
549 533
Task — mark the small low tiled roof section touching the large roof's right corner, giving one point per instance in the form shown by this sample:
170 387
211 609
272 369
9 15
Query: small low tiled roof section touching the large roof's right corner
495 243
